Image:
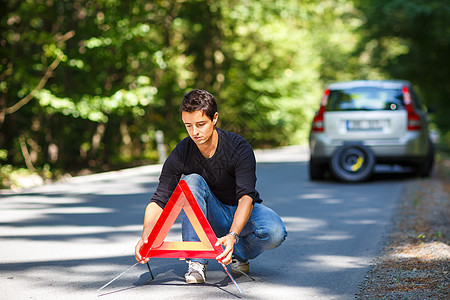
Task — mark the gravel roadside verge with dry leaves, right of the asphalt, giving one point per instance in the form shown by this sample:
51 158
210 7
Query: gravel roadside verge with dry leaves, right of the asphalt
415 261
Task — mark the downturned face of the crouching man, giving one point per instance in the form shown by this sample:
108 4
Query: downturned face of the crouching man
199 126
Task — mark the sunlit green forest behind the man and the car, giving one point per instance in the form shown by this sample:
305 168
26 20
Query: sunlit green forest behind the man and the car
90 85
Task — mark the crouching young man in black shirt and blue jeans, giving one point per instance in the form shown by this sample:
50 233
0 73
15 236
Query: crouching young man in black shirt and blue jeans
219 168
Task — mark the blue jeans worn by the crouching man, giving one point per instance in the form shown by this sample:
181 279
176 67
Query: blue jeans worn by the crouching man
263 231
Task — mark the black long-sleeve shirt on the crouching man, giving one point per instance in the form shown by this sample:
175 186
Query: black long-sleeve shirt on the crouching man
230 173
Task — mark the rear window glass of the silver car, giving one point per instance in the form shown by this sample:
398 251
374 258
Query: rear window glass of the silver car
365 98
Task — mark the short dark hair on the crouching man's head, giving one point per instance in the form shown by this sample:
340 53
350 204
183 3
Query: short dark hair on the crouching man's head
199 100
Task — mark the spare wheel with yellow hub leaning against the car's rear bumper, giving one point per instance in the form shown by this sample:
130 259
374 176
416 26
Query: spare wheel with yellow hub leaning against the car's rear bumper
352 163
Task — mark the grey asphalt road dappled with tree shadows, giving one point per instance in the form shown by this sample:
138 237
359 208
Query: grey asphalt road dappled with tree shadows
66 240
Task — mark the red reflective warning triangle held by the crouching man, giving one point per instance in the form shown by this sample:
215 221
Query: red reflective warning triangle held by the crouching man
182 198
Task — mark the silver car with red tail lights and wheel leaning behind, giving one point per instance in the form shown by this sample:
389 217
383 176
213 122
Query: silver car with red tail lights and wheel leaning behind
362 123
